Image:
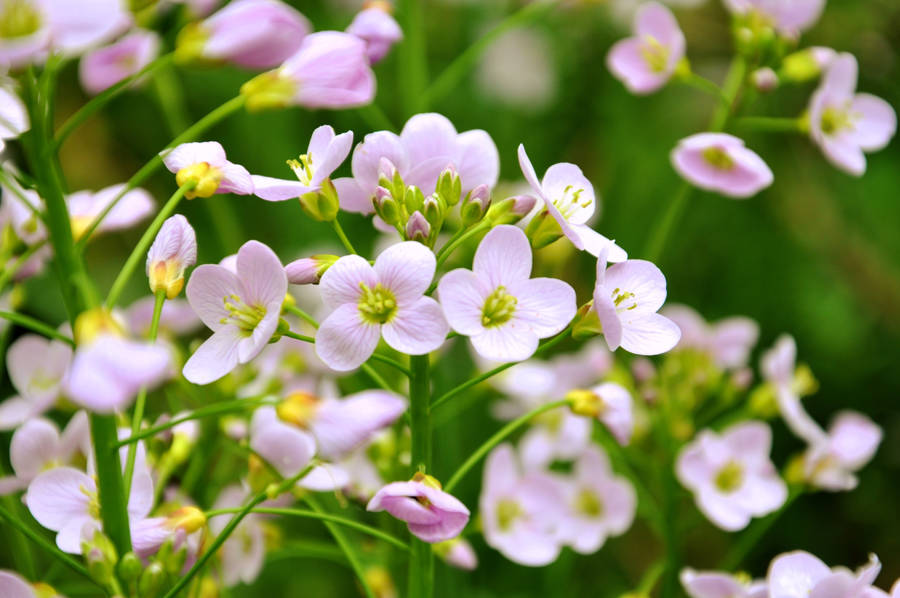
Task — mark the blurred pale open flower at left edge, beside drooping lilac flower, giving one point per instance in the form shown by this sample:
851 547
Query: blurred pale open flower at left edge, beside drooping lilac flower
37 368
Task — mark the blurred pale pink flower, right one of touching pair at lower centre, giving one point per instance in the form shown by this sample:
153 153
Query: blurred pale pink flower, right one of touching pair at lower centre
601 504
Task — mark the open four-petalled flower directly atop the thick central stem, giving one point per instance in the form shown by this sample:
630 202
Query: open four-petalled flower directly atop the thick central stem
385 300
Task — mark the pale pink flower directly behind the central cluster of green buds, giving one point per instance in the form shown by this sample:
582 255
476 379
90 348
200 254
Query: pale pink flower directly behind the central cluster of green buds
427 145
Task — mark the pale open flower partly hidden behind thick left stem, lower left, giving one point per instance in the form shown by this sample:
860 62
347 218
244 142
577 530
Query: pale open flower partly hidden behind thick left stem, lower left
65 500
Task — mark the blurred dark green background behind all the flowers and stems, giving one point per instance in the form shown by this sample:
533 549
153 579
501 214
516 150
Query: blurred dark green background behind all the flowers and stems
816 255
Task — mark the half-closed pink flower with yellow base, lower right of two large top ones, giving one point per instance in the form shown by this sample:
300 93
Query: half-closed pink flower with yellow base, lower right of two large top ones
329 70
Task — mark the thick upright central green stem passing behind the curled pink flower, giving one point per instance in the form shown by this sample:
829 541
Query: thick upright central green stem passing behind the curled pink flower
421 562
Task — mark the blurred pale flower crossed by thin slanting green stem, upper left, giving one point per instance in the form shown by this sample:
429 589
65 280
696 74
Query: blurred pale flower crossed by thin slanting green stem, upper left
85 206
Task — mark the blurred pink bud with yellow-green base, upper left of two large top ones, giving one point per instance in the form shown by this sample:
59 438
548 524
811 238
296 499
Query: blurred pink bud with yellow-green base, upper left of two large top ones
256 34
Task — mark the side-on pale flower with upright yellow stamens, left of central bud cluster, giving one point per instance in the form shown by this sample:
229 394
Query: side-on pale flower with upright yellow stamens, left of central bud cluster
326 152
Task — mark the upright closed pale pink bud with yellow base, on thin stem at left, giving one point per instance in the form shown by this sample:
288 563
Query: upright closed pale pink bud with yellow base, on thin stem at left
173 250
